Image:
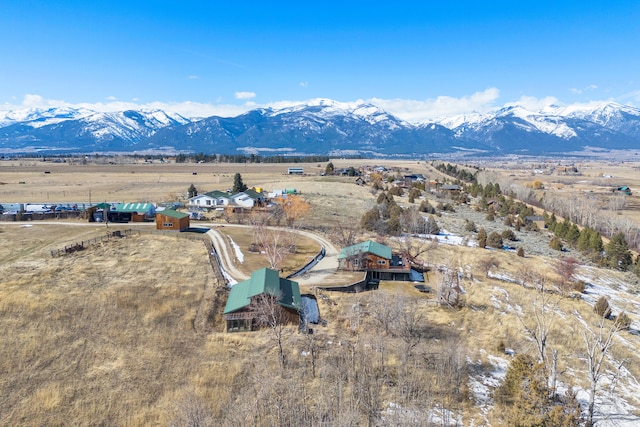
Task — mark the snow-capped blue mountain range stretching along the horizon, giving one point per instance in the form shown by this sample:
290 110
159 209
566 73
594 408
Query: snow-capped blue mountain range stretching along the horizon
323 127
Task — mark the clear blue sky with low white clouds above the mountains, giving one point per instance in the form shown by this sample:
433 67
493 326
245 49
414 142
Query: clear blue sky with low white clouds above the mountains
415 59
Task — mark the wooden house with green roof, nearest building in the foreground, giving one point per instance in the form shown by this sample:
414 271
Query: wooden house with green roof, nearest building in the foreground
240 316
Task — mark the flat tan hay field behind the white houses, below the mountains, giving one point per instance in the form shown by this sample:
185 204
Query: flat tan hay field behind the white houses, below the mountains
26 182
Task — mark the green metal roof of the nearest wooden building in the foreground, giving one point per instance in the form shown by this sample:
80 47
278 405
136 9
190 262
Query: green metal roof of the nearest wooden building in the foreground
264 281
